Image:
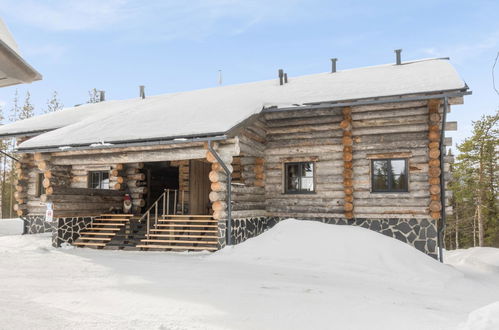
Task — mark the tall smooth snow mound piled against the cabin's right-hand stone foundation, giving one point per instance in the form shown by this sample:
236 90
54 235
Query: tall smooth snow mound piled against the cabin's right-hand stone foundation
318 246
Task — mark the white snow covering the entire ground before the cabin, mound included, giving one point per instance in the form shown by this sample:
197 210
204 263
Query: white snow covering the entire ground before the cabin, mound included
298 275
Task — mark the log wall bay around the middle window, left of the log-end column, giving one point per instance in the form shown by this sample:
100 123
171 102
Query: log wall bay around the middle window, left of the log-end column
305 136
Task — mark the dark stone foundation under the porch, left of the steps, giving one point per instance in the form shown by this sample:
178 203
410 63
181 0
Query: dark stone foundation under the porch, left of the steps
64 230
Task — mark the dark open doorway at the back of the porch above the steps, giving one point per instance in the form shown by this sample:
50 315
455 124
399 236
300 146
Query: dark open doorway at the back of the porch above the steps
159 176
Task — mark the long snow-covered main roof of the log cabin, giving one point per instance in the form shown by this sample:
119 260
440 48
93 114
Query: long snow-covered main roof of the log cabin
216 110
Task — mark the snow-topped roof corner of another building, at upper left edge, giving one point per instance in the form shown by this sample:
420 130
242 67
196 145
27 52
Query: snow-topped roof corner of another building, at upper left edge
13 68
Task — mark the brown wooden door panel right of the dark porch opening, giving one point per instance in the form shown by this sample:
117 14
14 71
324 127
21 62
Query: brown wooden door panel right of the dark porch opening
199 187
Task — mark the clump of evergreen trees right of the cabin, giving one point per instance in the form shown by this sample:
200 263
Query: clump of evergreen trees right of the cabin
475 187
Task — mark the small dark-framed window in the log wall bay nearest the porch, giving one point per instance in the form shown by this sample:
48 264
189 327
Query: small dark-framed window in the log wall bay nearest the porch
299 178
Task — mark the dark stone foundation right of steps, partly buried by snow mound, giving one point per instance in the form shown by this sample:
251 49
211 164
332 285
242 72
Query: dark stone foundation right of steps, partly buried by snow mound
420 233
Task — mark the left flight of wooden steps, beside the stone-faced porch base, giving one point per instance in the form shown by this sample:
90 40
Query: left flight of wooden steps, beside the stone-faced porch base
102 230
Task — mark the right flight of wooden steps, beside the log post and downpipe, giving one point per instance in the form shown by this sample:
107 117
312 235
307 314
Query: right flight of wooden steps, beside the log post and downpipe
182 233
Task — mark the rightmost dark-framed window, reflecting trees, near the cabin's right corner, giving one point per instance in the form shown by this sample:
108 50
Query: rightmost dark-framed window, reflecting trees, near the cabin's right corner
389 175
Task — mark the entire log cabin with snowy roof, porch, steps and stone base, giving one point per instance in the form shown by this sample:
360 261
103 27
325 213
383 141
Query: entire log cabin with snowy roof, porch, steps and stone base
212 167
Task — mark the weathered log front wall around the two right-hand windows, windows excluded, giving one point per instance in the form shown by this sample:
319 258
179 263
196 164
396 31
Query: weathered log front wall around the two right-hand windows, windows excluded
342 143
